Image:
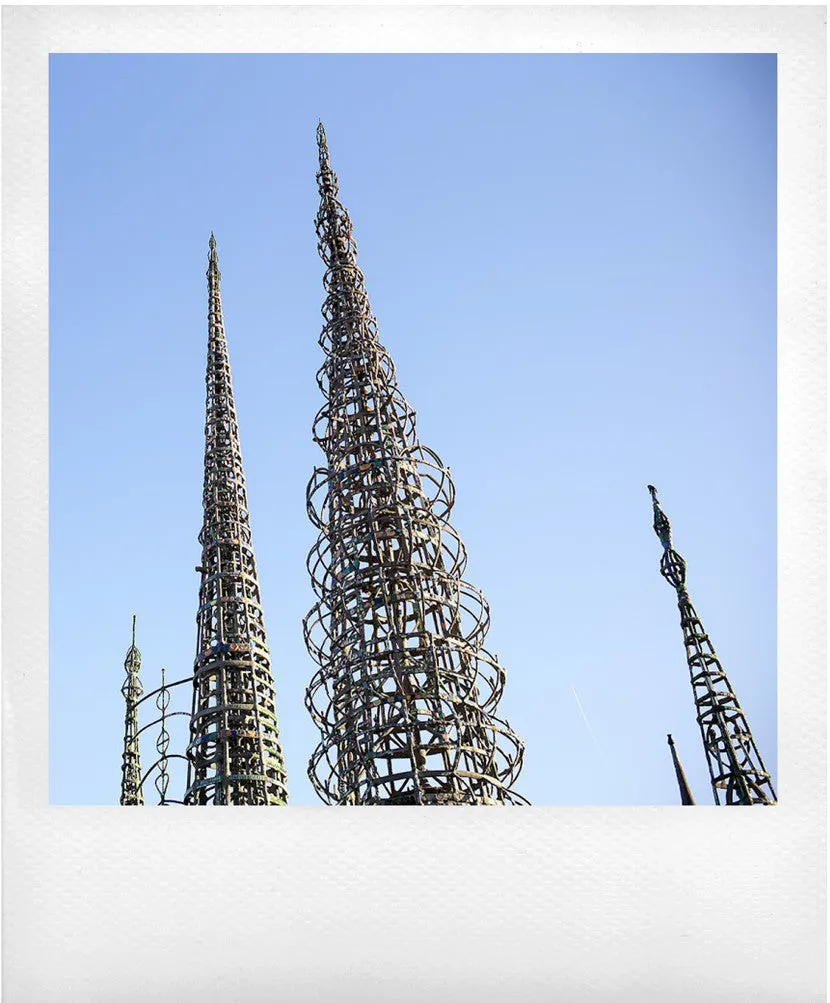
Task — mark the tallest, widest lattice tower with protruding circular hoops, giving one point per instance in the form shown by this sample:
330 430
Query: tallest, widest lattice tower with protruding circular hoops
405 695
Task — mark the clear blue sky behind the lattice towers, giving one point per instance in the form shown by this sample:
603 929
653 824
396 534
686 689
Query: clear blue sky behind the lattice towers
573 263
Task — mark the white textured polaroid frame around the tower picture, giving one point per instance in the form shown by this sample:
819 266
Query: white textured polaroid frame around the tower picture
530 904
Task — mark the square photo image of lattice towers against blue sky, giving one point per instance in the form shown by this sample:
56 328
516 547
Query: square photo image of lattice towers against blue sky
413 430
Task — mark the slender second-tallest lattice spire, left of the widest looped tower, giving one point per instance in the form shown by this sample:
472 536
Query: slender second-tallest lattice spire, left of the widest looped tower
235 757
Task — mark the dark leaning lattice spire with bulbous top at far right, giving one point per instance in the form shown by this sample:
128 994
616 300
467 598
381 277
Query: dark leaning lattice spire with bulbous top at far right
735 766
